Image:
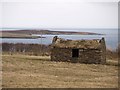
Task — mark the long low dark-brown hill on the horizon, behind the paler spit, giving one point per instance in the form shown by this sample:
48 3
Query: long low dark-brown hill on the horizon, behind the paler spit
49 32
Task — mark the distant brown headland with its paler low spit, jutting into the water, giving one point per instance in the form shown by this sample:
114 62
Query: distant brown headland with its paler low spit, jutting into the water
28 34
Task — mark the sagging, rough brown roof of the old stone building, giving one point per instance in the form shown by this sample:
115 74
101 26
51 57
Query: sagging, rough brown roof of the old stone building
85 44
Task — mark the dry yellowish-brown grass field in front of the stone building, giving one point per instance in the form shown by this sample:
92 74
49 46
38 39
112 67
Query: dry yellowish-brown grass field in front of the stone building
40 72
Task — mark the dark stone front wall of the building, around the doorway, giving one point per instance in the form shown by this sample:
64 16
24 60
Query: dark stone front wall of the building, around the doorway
85 56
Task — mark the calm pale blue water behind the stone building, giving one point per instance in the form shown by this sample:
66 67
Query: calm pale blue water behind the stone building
111 38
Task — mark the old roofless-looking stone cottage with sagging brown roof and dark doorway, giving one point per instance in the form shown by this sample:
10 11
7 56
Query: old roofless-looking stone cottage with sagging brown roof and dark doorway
81 51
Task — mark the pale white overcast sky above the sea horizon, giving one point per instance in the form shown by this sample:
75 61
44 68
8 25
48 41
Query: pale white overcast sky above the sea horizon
59 14
